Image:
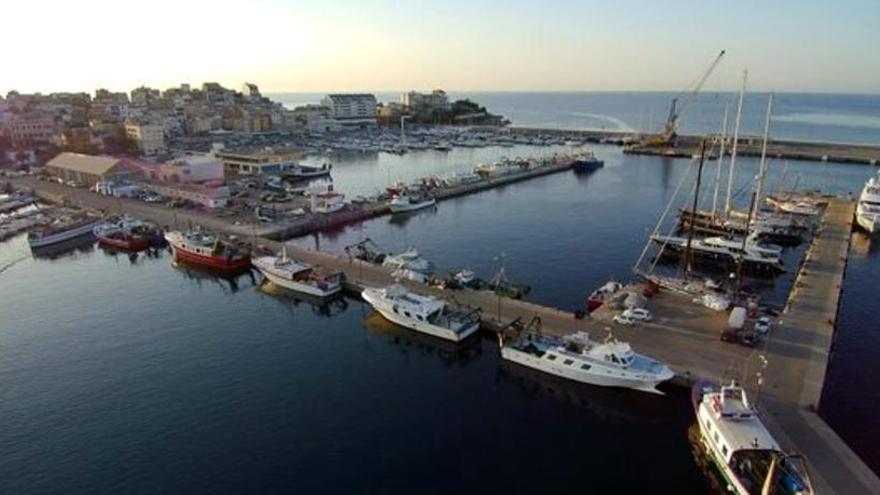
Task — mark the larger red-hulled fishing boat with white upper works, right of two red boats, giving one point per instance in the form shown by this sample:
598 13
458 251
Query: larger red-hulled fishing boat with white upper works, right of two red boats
199 248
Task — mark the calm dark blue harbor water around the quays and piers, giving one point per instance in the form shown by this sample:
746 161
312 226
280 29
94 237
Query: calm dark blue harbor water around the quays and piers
137 376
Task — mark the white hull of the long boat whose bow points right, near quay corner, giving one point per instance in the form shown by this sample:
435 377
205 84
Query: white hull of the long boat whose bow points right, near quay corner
596 376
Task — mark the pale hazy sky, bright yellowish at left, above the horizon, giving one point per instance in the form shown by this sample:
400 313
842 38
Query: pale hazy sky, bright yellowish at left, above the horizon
457 45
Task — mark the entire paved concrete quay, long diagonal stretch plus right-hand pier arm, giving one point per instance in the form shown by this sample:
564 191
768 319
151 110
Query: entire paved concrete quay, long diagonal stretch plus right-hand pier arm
684 335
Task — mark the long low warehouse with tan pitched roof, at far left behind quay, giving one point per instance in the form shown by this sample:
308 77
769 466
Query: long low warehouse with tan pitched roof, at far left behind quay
89 170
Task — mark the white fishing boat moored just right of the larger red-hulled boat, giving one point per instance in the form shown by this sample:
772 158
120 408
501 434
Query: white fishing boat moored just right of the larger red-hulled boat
298 276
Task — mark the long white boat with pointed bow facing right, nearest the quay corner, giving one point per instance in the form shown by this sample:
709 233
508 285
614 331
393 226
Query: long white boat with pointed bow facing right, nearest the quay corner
610 364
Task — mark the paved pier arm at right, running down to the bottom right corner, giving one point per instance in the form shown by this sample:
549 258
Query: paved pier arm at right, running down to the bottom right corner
797 353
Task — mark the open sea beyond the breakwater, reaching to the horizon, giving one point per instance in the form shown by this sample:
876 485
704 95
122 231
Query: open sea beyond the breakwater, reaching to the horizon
849 118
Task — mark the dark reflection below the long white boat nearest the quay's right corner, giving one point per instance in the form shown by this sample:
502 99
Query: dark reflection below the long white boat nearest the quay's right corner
605 402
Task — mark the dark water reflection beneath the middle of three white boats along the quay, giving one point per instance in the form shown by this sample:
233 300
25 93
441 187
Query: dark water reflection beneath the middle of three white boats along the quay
450 353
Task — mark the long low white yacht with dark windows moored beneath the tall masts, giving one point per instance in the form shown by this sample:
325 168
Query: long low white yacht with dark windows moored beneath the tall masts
756 254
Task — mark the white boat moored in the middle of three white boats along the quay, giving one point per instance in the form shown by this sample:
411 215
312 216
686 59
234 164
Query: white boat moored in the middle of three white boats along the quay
423 314
